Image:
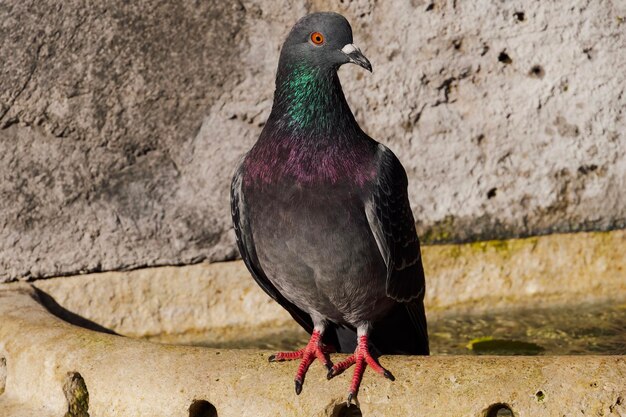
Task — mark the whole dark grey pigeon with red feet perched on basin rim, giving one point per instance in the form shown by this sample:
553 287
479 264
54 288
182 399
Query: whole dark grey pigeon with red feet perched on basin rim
322 216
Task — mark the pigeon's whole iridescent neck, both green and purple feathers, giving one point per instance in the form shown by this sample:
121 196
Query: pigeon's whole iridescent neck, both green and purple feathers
311 135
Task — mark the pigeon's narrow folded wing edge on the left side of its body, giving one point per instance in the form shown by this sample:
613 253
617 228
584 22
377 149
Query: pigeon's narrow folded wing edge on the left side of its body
245 242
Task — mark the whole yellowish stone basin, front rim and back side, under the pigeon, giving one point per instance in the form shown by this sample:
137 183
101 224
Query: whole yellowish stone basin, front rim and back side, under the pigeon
86 345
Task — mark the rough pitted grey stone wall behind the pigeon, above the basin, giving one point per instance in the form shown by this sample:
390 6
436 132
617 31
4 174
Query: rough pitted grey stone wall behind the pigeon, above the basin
121 123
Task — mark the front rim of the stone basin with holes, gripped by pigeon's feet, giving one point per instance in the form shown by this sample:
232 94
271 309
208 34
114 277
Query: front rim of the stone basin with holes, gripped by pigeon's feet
130 377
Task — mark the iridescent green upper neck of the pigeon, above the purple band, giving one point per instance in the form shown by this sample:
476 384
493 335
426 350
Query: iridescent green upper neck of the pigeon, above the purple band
309 102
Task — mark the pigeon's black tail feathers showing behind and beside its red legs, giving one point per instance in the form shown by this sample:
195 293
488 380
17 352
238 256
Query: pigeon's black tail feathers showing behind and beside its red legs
402 332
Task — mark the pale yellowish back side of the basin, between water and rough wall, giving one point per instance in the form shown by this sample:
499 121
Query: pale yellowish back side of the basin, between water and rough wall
521 273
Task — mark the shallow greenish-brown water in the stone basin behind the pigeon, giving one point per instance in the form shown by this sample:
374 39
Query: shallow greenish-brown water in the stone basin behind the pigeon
583 330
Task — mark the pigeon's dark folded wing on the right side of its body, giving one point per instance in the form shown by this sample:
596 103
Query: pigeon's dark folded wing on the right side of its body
391 221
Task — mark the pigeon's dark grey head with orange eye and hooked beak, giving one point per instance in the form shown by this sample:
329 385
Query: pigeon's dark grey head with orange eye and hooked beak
323 40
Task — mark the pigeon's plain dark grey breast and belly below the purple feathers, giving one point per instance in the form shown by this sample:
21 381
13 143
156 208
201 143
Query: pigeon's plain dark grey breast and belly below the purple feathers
314 243
